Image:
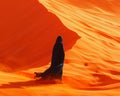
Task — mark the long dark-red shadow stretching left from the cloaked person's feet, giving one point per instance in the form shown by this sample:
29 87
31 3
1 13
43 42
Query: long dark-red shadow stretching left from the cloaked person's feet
31 83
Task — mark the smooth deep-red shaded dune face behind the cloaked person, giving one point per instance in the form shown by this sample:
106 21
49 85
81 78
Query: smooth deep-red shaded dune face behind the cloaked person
27 34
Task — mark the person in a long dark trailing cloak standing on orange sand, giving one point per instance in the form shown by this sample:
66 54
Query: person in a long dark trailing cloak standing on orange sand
55 70
